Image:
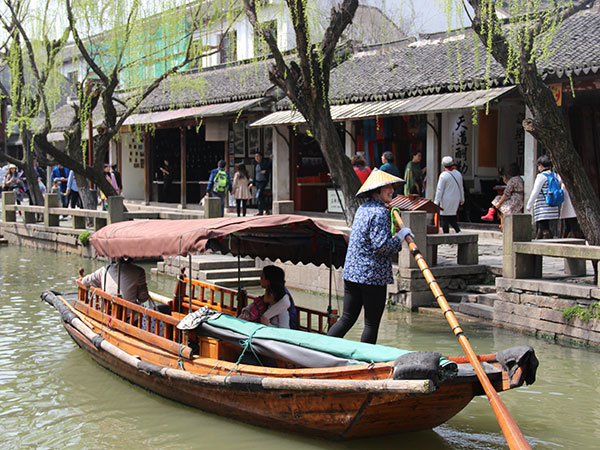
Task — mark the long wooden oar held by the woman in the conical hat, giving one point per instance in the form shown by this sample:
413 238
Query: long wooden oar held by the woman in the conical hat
512 433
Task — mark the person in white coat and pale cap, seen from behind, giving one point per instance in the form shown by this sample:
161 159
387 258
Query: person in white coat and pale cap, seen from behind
450 194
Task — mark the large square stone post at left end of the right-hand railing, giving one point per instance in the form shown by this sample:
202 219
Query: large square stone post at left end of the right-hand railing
518 228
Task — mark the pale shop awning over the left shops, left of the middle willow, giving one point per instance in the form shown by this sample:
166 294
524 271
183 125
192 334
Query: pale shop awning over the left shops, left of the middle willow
213 110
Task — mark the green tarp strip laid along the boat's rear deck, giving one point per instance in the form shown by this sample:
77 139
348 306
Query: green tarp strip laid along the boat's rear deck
339 347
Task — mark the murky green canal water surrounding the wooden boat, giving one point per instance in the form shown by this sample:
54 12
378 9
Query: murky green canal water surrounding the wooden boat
52 395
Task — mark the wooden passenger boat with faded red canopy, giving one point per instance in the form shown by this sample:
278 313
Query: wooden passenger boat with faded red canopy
315 385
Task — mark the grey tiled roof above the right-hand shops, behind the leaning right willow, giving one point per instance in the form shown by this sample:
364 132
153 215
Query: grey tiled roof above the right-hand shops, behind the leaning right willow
437 66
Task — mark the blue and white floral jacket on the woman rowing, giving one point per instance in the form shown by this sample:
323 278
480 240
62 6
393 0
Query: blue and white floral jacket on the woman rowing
371 246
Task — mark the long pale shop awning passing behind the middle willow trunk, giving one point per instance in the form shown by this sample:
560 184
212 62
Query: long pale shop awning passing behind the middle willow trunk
400 107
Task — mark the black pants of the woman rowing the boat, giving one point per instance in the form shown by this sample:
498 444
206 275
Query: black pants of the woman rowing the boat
356 297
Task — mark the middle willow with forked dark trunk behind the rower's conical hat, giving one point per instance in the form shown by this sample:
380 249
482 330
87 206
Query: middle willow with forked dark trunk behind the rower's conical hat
305 80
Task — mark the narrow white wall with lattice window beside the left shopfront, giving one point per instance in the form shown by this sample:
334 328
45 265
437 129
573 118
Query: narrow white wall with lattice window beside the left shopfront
132 176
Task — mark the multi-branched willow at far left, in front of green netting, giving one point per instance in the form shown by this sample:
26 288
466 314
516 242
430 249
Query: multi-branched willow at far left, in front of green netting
143 43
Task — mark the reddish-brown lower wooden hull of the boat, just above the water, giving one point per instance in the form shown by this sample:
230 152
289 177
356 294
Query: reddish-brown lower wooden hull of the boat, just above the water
318 414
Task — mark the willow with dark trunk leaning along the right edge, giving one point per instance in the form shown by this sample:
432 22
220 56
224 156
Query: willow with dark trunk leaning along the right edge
528 37
